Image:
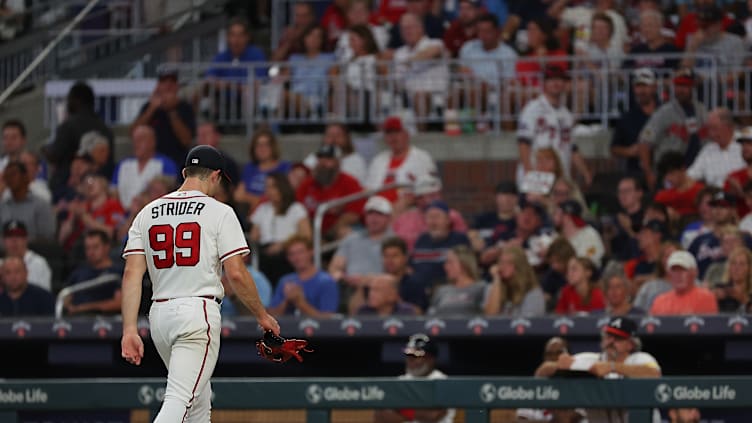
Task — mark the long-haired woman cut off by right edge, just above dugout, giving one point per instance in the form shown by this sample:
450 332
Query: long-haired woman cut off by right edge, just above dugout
734 293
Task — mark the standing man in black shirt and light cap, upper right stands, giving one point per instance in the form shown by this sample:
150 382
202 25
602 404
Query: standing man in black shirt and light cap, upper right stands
624 143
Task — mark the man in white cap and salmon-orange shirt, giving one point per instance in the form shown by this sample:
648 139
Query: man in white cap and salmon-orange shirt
686 297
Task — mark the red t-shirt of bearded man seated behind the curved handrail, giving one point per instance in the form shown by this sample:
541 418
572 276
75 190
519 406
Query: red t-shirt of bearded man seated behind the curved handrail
311 195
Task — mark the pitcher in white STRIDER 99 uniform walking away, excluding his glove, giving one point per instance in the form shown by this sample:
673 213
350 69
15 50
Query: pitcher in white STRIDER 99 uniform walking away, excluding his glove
183 239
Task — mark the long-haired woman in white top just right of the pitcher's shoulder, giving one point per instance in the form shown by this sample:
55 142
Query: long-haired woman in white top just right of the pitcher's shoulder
274 222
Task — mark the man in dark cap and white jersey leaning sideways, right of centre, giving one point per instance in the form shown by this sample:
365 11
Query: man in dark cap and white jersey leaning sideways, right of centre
583 237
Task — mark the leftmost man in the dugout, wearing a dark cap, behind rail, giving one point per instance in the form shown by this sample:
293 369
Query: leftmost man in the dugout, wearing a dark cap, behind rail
420 363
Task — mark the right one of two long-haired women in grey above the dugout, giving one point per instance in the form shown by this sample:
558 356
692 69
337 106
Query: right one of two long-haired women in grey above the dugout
514 290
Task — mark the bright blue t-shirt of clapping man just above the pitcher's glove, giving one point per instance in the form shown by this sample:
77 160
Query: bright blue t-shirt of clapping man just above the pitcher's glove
321 291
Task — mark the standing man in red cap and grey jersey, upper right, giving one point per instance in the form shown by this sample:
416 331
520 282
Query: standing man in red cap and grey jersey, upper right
677 125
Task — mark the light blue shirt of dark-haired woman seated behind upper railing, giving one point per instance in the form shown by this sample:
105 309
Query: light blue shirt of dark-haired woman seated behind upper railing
309 76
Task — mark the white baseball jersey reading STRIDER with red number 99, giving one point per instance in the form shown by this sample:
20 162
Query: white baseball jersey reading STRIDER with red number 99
185 236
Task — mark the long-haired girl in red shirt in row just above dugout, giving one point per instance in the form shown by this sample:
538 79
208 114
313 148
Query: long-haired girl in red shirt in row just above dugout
580 295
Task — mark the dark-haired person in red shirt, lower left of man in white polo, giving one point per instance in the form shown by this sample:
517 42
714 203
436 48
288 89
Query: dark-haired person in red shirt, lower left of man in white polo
682 191
